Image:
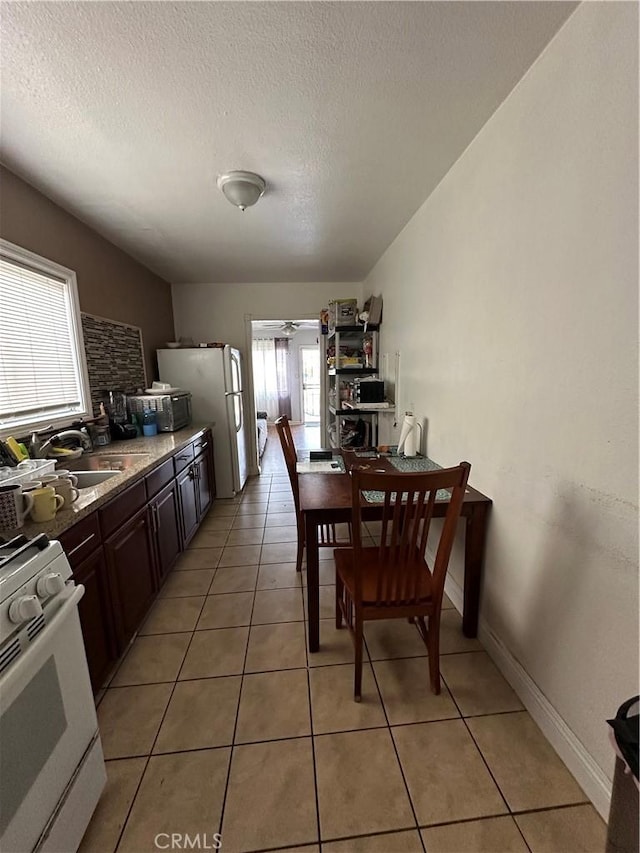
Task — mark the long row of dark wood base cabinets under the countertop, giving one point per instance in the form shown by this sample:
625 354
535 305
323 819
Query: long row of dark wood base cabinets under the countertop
122 553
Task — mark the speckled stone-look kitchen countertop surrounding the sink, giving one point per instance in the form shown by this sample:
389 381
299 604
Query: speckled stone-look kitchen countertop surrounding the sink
158 447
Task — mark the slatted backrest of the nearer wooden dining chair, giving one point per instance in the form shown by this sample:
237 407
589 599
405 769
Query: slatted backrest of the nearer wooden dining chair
407 509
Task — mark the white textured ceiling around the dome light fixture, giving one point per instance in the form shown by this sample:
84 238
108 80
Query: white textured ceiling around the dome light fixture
124 113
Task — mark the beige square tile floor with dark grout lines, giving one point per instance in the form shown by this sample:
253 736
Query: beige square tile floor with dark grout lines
218 720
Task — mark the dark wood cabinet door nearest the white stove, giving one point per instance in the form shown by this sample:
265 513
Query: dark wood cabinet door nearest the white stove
95 617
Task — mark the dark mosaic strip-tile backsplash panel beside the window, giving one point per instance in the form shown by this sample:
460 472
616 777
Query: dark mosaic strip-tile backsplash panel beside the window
115 358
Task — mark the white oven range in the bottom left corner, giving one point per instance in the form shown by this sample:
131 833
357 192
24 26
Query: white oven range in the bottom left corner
52 765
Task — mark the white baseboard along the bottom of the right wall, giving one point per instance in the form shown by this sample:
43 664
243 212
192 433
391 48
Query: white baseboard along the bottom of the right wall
571 750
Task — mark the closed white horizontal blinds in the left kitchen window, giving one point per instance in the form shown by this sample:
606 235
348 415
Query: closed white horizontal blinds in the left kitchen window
40 375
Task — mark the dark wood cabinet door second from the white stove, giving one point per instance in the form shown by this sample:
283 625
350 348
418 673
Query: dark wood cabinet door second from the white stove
130 562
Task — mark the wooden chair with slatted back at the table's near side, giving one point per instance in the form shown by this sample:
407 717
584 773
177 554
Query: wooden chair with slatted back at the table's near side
393 580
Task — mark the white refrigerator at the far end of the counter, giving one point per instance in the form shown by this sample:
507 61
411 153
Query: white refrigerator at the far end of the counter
214 378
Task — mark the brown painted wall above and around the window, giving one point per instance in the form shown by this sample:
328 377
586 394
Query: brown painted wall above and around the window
110 283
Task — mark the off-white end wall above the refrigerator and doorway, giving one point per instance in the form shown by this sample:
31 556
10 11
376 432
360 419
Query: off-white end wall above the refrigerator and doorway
216 312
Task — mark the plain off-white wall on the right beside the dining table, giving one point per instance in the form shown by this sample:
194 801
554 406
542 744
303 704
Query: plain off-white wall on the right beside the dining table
522 270
